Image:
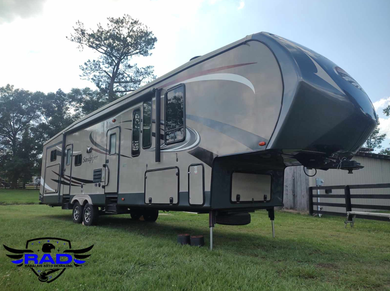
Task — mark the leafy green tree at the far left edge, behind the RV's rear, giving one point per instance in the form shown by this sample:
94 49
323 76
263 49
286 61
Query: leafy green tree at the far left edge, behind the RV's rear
18 111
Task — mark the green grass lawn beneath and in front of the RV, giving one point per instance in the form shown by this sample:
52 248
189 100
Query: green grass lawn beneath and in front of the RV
307 254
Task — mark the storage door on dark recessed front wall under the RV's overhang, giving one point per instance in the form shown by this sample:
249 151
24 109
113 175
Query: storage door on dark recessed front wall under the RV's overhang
248 187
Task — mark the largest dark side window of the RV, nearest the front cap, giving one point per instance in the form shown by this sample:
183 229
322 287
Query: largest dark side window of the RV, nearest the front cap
174 115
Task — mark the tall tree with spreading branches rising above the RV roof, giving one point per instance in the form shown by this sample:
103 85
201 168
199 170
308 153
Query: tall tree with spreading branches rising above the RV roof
122 39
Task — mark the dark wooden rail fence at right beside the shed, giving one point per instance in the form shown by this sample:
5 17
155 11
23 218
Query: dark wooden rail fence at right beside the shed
347 204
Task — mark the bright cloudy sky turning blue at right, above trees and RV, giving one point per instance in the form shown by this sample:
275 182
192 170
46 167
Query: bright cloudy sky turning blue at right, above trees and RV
355 34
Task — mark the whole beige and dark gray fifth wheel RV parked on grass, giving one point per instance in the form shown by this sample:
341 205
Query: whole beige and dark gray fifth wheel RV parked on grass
213 136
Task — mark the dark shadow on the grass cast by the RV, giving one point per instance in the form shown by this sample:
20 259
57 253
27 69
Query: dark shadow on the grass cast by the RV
251 244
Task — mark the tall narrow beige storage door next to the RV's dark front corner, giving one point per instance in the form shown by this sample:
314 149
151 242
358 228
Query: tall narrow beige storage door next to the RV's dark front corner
196 184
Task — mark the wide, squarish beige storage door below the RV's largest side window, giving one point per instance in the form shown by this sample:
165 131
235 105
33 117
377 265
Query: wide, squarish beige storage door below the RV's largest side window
162 186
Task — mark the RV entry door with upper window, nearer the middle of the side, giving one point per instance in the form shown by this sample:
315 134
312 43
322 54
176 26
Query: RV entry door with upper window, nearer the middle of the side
112 161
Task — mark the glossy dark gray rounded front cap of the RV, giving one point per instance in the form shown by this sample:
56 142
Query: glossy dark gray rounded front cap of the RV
324 109
